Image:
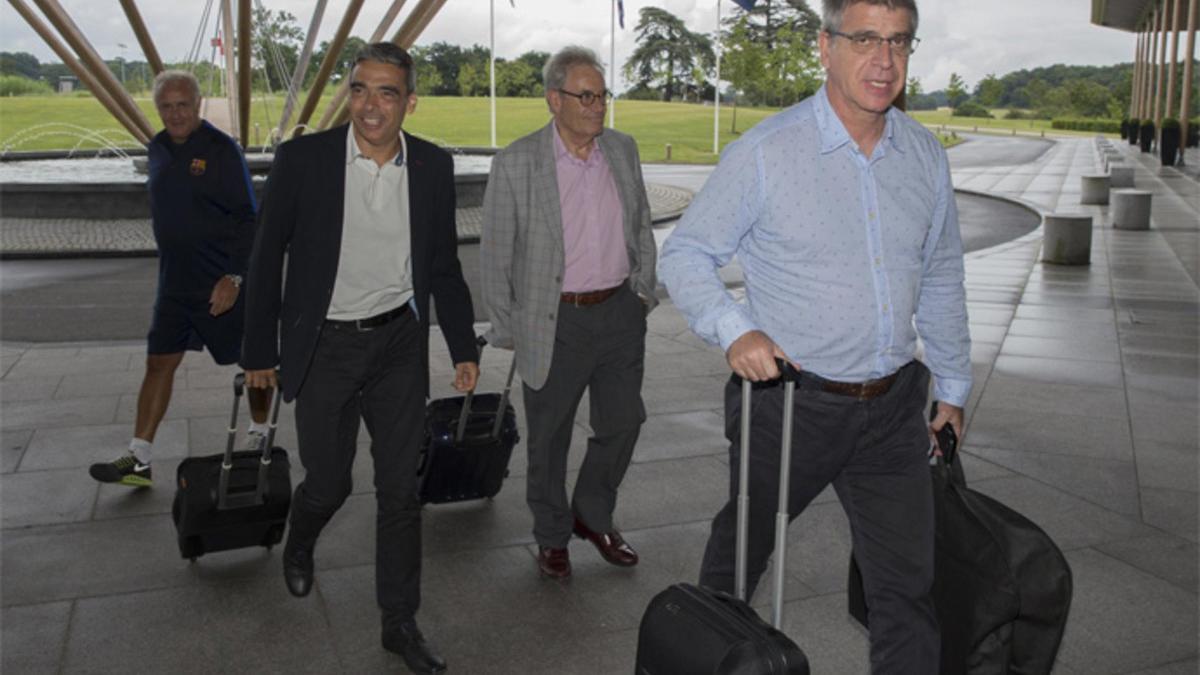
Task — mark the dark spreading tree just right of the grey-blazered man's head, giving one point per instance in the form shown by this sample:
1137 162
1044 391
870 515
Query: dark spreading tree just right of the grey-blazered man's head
668 53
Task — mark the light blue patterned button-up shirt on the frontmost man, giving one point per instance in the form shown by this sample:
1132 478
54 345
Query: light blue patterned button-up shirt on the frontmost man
842 253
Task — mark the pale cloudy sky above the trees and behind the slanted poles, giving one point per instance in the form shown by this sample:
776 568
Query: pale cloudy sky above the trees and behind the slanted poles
970 38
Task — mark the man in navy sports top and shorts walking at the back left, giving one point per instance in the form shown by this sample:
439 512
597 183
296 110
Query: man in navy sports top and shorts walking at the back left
203 210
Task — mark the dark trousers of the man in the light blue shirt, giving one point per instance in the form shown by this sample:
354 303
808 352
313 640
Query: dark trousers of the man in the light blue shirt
875 453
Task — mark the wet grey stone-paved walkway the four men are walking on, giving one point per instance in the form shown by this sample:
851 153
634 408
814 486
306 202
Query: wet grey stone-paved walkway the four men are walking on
1083 417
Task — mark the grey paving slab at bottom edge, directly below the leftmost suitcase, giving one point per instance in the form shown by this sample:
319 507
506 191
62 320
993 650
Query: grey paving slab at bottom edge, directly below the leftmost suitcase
237 626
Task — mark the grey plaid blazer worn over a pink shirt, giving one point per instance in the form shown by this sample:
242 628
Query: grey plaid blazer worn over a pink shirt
521 250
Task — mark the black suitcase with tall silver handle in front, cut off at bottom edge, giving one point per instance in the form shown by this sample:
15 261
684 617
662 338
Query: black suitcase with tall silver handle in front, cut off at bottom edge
689 630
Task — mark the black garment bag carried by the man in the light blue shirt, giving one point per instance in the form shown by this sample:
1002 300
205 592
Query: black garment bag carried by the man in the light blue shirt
1001 587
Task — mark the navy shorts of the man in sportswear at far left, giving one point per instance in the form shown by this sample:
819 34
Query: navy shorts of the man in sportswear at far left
179 326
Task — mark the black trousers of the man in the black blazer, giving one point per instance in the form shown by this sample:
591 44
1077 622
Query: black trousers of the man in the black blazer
373 377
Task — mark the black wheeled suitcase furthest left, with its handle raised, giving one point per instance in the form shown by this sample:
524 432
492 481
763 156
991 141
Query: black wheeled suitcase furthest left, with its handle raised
237 499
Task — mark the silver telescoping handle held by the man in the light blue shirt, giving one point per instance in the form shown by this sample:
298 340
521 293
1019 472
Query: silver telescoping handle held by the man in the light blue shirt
789 375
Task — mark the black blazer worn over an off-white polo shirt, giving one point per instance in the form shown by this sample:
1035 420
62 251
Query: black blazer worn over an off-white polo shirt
302 218
